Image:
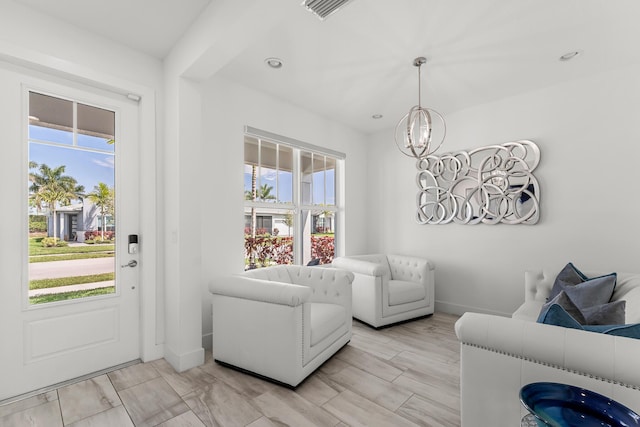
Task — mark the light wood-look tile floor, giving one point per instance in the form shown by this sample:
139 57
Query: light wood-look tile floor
404 375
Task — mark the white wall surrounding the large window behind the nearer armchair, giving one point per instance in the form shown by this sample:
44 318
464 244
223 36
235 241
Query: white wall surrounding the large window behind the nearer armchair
228 107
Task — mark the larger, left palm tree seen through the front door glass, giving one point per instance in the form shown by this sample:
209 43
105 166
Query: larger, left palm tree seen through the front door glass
49 187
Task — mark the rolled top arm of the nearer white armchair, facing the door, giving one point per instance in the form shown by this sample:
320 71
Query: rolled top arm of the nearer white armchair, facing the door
260 290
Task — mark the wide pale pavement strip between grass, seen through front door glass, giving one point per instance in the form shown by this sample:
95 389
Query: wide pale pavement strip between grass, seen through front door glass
77 267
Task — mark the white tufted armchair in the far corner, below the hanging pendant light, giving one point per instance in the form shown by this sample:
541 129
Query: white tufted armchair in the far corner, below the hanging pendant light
389 288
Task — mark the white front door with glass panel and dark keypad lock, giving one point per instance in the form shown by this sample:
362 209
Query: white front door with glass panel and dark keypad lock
70 163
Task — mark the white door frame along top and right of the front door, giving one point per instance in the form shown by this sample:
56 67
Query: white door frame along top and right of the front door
151 286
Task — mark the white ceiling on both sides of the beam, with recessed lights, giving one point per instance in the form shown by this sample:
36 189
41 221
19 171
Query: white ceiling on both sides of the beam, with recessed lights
358 62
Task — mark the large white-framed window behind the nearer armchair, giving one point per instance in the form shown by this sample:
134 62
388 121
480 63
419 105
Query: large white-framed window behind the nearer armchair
291 203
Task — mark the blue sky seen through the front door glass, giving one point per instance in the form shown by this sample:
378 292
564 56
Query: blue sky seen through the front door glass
87 167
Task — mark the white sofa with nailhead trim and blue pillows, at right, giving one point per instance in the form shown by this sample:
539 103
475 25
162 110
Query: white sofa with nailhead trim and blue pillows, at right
499 355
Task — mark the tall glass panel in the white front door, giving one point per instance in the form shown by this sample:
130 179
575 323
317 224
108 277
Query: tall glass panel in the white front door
71 188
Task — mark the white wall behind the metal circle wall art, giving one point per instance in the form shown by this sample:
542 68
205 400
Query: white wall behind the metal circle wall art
588 136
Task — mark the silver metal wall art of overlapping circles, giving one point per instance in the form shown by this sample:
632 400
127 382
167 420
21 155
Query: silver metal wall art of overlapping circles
490 185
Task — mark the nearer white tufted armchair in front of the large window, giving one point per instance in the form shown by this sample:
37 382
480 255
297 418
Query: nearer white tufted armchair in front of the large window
281 322
